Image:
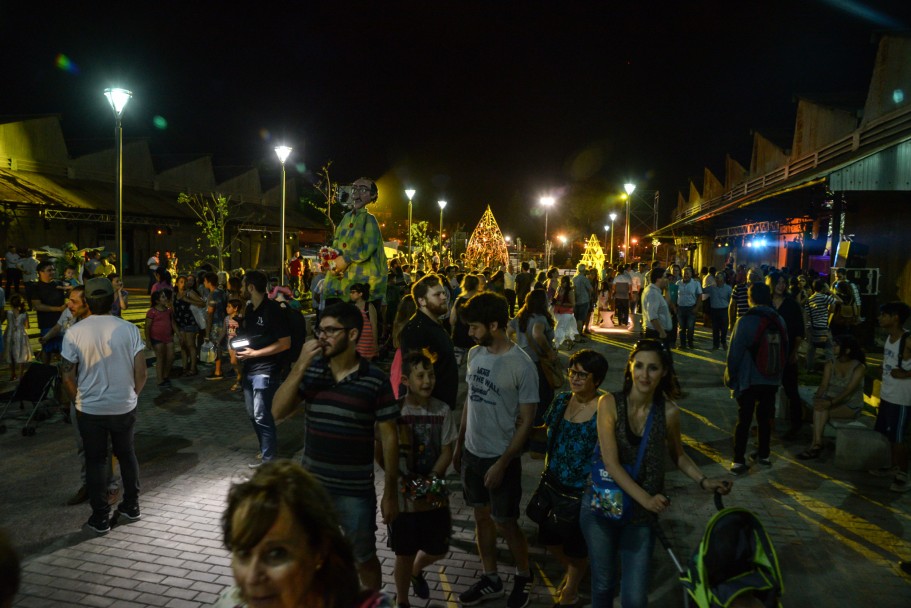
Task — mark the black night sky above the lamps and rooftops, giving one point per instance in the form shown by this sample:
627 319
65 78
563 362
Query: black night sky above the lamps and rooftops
480 103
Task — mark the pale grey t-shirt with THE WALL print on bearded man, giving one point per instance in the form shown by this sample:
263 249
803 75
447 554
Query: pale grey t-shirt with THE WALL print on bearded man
497 384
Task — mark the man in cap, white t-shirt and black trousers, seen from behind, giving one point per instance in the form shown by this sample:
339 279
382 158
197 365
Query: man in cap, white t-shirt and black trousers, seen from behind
97 349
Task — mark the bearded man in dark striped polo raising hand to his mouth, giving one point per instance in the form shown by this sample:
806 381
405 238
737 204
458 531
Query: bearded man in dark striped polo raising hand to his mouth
344 396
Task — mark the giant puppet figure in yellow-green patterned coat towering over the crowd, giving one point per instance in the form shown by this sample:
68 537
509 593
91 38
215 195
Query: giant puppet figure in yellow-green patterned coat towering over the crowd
359 242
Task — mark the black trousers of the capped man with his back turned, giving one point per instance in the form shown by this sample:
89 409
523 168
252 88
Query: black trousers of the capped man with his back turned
95 431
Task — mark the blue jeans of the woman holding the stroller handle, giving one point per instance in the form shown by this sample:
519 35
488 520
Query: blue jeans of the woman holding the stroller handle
612 547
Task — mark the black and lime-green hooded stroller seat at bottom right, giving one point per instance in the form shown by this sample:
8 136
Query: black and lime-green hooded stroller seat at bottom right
735 558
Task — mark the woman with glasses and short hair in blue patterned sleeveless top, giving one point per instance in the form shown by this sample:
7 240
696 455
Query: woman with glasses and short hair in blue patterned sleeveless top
572 435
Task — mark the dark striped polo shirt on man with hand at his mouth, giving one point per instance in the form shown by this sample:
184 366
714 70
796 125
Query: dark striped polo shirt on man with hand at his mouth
338 445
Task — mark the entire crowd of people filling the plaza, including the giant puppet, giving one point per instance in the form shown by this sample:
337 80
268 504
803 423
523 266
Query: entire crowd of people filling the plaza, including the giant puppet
378 381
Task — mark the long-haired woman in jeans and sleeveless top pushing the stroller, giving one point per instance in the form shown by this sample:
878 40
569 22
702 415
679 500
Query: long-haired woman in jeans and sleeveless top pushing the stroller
649 387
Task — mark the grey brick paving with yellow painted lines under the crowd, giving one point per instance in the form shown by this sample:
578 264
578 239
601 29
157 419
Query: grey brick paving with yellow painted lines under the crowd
838 534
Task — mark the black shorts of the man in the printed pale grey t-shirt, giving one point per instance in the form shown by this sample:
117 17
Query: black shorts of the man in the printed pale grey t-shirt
502 500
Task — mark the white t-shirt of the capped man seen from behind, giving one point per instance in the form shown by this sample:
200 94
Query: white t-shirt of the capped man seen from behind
103 347
